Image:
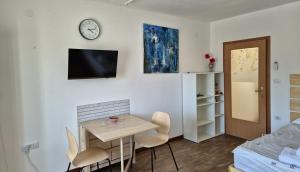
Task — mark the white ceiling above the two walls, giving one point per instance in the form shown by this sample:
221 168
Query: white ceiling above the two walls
205 10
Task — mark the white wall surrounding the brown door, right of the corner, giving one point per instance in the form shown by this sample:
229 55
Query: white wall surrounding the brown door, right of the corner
282 24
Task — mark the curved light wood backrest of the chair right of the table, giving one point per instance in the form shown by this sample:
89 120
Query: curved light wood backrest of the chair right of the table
162 119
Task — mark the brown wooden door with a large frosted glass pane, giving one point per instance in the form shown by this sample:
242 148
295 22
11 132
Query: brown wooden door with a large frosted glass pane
246 74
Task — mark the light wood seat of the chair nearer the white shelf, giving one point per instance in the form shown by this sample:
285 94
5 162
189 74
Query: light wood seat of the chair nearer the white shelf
150 141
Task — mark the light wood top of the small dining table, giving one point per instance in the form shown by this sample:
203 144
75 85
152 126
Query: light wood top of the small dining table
127 125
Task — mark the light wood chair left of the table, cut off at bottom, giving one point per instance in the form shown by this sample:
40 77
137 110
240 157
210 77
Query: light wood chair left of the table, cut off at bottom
84 158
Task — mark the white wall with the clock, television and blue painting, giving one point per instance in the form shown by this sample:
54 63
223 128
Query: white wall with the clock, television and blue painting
45 101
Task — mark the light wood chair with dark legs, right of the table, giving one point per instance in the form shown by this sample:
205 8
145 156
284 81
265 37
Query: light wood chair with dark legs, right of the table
161 119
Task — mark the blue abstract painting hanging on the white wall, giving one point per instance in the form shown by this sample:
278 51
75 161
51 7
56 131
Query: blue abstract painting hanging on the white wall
160 49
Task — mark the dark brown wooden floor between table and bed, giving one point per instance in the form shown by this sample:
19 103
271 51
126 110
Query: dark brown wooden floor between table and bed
212 155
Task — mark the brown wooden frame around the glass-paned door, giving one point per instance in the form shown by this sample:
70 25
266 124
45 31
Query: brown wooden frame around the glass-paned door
268 82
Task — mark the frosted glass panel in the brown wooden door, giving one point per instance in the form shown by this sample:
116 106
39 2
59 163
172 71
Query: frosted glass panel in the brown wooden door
244 84
